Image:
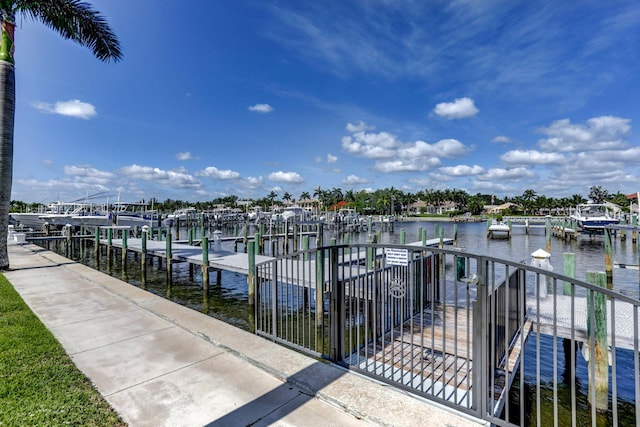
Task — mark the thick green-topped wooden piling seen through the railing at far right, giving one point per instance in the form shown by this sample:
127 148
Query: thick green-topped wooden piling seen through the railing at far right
598 346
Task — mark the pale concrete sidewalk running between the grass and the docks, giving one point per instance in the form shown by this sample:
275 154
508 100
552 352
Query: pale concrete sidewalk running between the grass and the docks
161 364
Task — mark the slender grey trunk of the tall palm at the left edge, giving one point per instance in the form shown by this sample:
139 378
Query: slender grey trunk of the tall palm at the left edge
7 114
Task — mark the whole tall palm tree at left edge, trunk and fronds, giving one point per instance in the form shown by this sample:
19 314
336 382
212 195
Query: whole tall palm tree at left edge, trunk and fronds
72 19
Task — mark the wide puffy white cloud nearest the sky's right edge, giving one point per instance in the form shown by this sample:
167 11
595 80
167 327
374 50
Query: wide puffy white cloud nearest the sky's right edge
599 133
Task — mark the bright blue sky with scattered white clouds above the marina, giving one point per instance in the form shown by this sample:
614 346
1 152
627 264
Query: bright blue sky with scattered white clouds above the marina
243 97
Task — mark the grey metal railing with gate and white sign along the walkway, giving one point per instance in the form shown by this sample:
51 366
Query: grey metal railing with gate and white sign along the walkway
502 341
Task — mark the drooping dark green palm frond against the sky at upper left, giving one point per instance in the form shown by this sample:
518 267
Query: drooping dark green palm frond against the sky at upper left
75 20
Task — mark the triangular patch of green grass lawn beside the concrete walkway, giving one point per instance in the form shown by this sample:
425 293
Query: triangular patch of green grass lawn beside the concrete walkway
39 384
